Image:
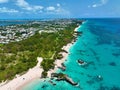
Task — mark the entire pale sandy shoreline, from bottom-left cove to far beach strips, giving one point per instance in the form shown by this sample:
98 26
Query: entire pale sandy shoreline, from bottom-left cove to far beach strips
35 73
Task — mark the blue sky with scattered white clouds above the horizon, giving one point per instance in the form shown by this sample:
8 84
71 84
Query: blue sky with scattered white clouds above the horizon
26 9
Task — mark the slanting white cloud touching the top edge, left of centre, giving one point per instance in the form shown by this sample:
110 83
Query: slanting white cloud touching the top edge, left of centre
26 6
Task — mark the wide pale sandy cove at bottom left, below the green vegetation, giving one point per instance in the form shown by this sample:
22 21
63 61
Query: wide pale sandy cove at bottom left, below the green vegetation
20 81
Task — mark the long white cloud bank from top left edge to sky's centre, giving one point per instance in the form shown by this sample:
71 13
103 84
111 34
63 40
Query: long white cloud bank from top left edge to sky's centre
40 9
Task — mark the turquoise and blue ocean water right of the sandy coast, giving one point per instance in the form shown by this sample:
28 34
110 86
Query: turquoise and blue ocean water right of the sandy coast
99 46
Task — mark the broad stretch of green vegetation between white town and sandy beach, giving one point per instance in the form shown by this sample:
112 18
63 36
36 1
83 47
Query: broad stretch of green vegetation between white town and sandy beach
17 57
